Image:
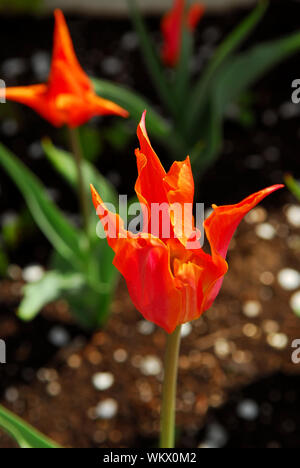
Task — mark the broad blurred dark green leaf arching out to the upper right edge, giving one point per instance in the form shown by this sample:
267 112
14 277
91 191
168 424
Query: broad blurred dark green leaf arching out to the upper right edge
236 76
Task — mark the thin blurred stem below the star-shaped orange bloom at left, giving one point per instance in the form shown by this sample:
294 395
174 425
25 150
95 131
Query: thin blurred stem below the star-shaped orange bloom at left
77 152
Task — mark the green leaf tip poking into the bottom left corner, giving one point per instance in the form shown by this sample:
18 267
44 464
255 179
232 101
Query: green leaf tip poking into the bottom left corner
24 434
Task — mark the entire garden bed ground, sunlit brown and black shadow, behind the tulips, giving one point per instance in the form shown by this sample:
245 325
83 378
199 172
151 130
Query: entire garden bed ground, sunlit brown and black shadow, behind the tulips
232 346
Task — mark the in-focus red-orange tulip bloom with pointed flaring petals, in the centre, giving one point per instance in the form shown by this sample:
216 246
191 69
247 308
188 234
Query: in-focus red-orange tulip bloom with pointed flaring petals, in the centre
170 283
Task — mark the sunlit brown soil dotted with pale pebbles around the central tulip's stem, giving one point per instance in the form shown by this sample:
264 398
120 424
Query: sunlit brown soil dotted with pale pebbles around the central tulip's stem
55 391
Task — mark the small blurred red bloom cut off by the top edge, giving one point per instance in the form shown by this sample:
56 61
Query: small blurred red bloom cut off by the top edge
172 25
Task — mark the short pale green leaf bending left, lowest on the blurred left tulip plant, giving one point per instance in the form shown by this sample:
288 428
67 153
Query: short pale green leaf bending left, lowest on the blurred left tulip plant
48 289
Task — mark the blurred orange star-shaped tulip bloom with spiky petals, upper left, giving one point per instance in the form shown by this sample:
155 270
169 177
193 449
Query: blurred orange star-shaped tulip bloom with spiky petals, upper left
68 97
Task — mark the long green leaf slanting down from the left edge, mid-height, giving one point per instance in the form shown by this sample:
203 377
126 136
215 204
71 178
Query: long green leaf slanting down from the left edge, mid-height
64 237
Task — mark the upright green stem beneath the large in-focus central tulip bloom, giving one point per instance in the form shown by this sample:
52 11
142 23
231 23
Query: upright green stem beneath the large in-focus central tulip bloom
168 412
